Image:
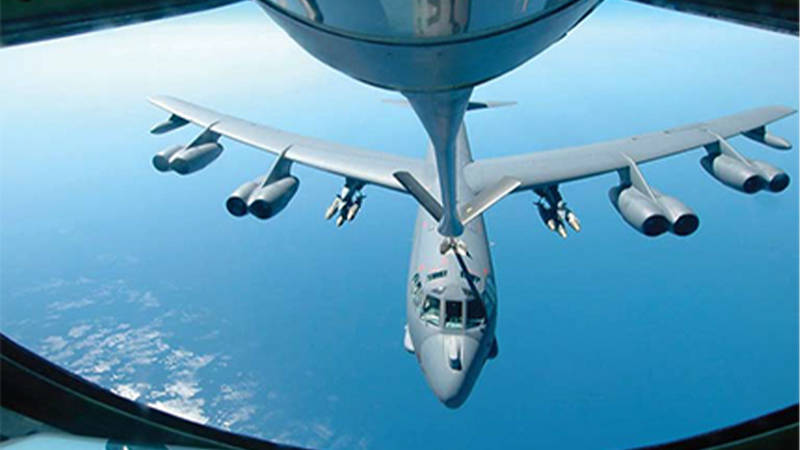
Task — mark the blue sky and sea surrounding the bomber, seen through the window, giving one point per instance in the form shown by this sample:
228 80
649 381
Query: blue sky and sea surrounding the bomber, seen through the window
292 329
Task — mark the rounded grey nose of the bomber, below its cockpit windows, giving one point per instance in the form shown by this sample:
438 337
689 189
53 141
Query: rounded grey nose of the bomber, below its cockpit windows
447 360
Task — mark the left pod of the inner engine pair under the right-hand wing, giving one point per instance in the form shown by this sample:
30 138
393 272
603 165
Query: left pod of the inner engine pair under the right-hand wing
638 210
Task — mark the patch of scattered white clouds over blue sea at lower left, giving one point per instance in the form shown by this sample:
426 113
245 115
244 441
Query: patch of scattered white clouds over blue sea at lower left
146 363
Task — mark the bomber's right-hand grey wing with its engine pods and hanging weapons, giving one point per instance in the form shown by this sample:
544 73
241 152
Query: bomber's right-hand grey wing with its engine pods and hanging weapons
644 208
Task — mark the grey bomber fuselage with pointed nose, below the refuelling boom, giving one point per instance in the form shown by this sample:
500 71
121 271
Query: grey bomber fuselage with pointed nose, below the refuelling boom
431 274
